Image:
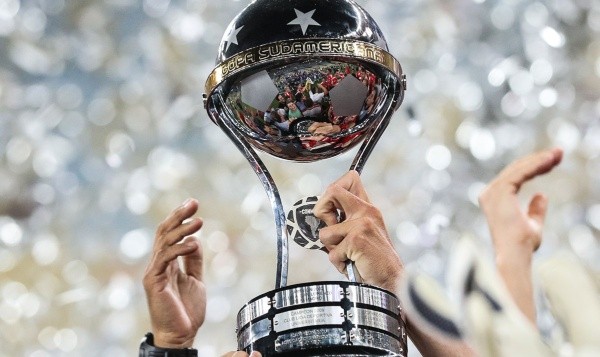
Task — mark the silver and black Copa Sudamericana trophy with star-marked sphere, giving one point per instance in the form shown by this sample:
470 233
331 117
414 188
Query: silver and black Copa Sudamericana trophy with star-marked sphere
305 80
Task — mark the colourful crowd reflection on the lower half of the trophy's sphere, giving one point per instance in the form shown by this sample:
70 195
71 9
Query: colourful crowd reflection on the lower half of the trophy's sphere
303 109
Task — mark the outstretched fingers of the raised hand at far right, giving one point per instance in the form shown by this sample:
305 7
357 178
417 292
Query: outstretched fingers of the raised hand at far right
521 171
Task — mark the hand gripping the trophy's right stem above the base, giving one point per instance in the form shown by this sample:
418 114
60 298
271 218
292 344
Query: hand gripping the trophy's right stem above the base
361 236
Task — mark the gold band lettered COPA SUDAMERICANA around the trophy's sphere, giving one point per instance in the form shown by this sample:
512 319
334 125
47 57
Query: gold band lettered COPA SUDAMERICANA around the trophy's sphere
276 51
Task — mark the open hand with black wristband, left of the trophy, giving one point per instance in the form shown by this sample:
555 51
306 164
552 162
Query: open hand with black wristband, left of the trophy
176 297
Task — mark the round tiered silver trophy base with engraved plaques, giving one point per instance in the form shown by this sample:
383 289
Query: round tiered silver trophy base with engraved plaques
323 319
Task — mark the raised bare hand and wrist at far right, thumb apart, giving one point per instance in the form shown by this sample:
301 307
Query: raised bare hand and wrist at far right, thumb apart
516 233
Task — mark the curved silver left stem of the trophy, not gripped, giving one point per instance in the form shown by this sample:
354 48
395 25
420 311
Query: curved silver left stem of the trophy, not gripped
273 193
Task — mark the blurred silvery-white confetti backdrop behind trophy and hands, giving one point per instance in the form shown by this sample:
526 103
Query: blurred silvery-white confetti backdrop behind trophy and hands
102 134
